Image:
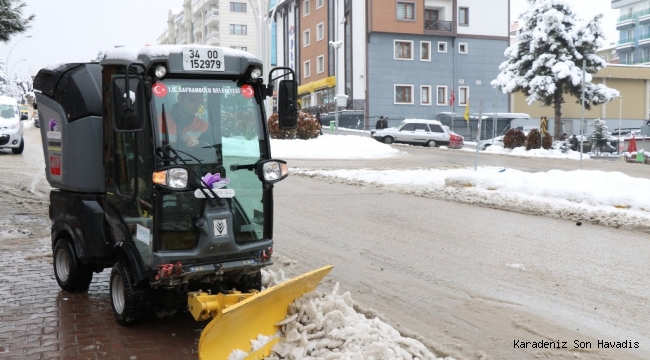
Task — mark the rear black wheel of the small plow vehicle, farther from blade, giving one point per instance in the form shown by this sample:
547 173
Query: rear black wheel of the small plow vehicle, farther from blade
70 273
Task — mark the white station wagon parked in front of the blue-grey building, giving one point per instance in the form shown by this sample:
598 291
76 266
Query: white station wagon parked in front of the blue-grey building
414 131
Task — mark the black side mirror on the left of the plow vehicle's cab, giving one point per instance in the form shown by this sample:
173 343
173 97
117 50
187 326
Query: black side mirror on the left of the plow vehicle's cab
128 109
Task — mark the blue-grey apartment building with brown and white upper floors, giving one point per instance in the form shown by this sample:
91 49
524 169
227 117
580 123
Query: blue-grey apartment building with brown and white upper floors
420 52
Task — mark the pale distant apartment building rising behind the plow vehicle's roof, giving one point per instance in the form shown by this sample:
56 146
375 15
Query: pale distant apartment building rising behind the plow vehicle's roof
225 23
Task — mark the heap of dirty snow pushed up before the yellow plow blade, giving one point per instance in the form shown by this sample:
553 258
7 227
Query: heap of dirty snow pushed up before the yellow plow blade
328 327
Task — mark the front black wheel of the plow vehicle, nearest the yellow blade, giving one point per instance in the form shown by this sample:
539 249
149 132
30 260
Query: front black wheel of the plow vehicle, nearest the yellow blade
129 303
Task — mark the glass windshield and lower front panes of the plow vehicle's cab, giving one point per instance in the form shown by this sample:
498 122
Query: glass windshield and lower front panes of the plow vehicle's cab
212 124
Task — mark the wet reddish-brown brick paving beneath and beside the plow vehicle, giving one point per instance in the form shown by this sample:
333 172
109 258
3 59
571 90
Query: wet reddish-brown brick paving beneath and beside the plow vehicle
38 320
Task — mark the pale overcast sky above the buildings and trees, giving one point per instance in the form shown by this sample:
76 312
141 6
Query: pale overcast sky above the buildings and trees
75 30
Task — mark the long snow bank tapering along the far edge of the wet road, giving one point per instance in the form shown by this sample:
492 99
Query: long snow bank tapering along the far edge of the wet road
605 198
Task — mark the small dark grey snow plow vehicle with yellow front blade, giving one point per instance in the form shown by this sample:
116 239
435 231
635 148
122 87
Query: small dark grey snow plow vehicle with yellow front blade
161 169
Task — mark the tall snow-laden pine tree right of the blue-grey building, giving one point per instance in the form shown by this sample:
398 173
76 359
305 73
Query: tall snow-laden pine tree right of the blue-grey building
546 62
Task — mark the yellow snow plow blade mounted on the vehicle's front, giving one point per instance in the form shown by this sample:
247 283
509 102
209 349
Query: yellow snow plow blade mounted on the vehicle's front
239 318
